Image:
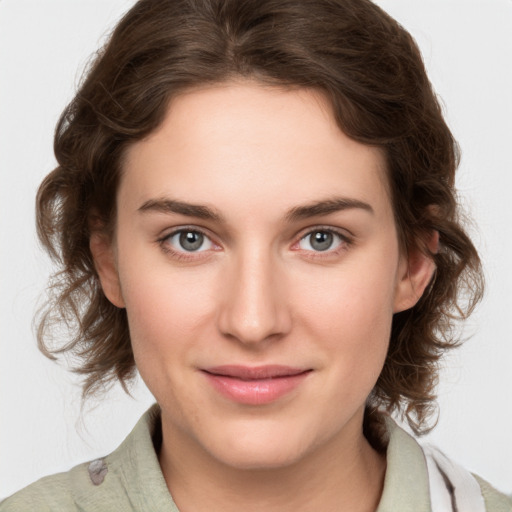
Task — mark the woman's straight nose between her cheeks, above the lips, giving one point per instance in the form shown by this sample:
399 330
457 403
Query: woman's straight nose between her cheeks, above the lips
254 308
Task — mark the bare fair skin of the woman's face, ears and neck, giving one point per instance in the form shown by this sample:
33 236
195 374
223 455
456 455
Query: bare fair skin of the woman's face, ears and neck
259 292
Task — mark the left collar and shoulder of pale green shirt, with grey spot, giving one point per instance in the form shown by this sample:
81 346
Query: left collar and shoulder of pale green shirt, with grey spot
129 478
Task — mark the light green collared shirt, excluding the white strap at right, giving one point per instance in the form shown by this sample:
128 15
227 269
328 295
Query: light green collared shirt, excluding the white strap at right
130 479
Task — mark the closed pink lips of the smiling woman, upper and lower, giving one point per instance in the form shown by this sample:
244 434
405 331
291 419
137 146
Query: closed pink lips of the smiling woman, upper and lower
255 385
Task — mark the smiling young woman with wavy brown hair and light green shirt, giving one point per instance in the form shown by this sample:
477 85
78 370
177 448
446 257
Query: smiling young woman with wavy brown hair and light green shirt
254 207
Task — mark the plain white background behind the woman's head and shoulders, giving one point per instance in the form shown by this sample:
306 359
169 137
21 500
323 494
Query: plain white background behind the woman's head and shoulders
467 46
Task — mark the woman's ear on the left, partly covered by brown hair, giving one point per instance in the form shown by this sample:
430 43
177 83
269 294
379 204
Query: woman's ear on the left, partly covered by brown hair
103 253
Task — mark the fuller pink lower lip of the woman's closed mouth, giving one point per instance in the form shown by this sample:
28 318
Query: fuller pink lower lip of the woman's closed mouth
258 391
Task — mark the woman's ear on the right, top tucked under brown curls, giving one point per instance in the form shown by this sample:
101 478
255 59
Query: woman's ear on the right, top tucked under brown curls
415 273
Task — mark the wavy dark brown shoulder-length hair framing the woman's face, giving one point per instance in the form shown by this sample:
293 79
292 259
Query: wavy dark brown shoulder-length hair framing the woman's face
370 70
